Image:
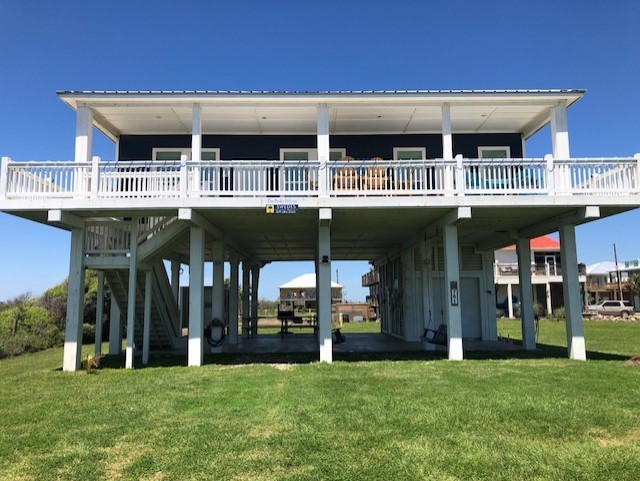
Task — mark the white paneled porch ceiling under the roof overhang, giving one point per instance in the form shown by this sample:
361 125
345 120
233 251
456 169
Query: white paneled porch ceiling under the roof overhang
350 113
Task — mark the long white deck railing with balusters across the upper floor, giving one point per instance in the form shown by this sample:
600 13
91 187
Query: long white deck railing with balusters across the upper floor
458 177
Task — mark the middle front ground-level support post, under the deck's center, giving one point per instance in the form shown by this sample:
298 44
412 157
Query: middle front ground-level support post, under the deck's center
323 290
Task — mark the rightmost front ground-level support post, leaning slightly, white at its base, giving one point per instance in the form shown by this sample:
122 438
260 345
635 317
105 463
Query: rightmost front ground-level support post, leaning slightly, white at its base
571 290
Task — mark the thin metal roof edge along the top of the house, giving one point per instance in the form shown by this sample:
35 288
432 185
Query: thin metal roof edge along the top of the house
323 92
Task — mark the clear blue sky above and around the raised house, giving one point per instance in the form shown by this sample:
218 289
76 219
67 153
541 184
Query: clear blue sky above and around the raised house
45 46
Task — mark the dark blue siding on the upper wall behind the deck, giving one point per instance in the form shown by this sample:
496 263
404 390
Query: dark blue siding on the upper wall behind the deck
139 147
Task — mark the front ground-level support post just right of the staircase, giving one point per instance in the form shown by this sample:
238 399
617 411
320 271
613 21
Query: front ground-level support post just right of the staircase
196 297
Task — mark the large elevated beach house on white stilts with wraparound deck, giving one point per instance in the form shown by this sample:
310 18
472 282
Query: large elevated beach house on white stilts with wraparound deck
426 184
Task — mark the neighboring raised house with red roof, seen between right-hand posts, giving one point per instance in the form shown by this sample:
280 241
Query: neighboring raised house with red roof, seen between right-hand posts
546 276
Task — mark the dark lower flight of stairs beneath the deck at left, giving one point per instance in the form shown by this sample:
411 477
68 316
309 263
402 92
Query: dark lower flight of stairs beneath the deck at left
165 318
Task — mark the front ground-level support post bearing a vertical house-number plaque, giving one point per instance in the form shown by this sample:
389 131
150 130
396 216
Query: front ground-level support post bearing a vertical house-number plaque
453 310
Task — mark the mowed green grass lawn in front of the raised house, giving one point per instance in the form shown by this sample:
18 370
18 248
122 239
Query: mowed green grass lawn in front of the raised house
547 418
